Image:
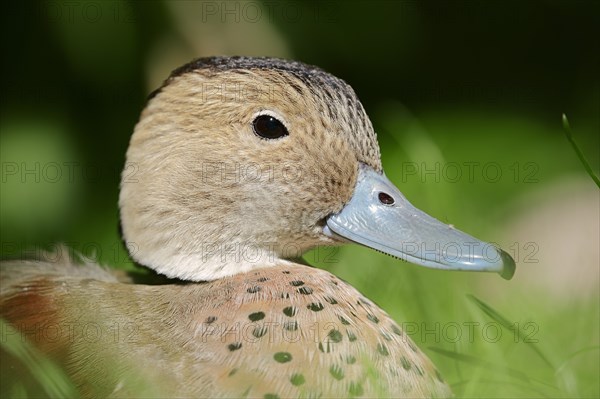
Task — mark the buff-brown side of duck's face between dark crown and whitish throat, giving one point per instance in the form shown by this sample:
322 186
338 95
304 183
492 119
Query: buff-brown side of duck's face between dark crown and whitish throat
184 199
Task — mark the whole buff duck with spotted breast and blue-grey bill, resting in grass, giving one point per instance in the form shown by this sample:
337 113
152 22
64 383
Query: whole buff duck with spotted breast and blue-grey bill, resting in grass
238 166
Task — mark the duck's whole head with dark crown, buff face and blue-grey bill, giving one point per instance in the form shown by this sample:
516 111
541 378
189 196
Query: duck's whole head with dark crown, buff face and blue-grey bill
239 163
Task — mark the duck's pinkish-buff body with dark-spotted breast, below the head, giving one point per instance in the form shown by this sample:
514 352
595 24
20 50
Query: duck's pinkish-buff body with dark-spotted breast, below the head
291 331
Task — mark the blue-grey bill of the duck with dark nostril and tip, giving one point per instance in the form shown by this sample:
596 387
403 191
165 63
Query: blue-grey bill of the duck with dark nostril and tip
389 223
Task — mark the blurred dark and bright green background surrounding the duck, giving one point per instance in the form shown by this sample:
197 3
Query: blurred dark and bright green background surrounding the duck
466 97
